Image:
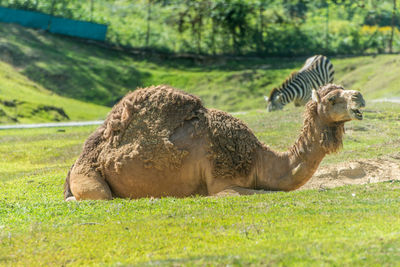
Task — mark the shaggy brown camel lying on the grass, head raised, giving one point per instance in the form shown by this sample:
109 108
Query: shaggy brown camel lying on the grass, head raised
159 141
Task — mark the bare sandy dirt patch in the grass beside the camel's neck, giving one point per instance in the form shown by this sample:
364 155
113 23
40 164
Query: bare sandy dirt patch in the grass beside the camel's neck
356 172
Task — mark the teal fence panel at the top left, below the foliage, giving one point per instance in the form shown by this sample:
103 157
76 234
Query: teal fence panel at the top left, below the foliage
76 28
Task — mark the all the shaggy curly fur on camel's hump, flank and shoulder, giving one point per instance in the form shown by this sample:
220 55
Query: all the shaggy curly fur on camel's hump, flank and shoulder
141 124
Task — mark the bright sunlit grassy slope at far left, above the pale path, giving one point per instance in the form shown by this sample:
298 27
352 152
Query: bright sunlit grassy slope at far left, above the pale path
24 101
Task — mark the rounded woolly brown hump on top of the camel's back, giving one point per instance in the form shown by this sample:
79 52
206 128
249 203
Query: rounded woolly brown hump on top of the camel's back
157 108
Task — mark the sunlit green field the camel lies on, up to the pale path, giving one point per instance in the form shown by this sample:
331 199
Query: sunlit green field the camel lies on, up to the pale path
353 225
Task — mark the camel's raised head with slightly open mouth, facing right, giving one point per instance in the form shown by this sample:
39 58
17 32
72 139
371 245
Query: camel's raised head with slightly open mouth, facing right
334 104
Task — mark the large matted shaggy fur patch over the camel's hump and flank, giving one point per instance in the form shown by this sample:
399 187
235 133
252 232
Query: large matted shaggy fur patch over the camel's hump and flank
141 124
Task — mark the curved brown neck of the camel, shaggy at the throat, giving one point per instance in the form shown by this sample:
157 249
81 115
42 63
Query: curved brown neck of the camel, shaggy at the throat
290 170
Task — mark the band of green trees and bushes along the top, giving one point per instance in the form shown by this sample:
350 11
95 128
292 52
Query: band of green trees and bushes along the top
262 27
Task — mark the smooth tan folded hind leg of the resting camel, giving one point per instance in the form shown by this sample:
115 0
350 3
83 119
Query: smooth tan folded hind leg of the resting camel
91 186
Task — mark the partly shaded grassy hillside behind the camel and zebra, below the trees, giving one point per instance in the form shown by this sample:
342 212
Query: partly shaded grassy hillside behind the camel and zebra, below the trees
89 73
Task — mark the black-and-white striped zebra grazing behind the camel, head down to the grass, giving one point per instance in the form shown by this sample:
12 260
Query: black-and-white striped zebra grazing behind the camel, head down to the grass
316 72
